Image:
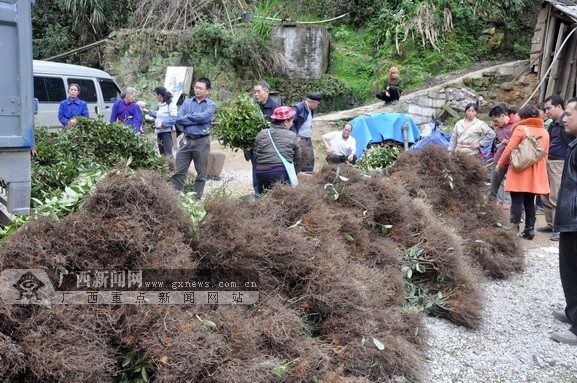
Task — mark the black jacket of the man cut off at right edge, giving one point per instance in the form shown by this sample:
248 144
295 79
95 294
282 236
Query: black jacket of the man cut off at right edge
566 210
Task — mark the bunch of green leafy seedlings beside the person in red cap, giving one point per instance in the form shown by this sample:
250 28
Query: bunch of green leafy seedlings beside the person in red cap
239 123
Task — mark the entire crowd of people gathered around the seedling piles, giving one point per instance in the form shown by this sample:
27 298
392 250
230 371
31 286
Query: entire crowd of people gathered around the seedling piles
552 180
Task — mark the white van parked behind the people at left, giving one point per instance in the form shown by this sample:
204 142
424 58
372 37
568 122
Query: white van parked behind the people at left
51 80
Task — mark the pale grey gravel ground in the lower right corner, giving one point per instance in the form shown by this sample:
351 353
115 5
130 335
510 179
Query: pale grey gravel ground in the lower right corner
513 344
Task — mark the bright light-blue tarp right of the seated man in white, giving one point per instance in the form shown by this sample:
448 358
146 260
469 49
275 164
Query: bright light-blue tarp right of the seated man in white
378 127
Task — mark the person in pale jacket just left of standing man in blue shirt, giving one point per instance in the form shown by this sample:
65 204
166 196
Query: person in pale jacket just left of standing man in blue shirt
162 120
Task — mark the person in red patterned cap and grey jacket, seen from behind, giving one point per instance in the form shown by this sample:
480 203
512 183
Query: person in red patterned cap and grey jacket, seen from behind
269 166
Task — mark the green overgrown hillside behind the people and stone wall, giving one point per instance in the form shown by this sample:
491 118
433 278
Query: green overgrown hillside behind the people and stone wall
422 38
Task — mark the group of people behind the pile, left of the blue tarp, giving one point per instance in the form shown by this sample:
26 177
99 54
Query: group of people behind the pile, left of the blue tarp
275 151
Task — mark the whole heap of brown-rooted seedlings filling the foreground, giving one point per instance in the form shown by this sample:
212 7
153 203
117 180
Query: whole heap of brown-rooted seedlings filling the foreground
347 264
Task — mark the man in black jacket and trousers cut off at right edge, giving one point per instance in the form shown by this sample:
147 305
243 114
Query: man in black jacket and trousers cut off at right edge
566 225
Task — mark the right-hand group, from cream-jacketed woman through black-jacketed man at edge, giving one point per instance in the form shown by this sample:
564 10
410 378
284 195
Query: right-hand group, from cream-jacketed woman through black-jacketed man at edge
553 179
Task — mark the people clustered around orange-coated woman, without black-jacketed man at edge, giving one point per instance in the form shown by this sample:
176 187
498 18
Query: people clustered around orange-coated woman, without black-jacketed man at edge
537 182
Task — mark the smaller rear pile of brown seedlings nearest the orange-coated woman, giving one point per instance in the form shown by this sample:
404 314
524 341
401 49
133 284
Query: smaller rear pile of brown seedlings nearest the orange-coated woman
453 184
